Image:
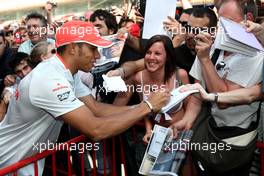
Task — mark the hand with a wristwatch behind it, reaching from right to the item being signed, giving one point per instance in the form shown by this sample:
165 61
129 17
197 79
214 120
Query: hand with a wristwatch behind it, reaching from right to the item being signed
202 93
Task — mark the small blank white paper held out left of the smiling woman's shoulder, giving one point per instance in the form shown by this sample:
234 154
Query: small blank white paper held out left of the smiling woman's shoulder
114 83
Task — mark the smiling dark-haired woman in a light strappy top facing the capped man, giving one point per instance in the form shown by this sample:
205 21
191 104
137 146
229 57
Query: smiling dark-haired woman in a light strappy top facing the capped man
160 73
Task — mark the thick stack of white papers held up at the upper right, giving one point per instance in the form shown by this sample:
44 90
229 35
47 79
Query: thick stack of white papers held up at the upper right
233 37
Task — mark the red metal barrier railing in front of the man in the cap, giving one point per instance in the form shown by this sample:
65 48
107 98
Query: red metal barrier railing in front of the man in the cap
35 158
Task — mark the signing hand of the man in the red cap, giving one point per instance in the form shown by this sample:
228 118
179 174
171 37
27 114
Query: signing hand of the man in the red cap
159 99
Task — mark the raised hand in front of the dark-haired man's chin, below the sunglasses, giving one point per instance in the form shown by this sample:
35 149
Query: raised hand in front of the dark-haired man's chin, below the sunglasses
203 45
